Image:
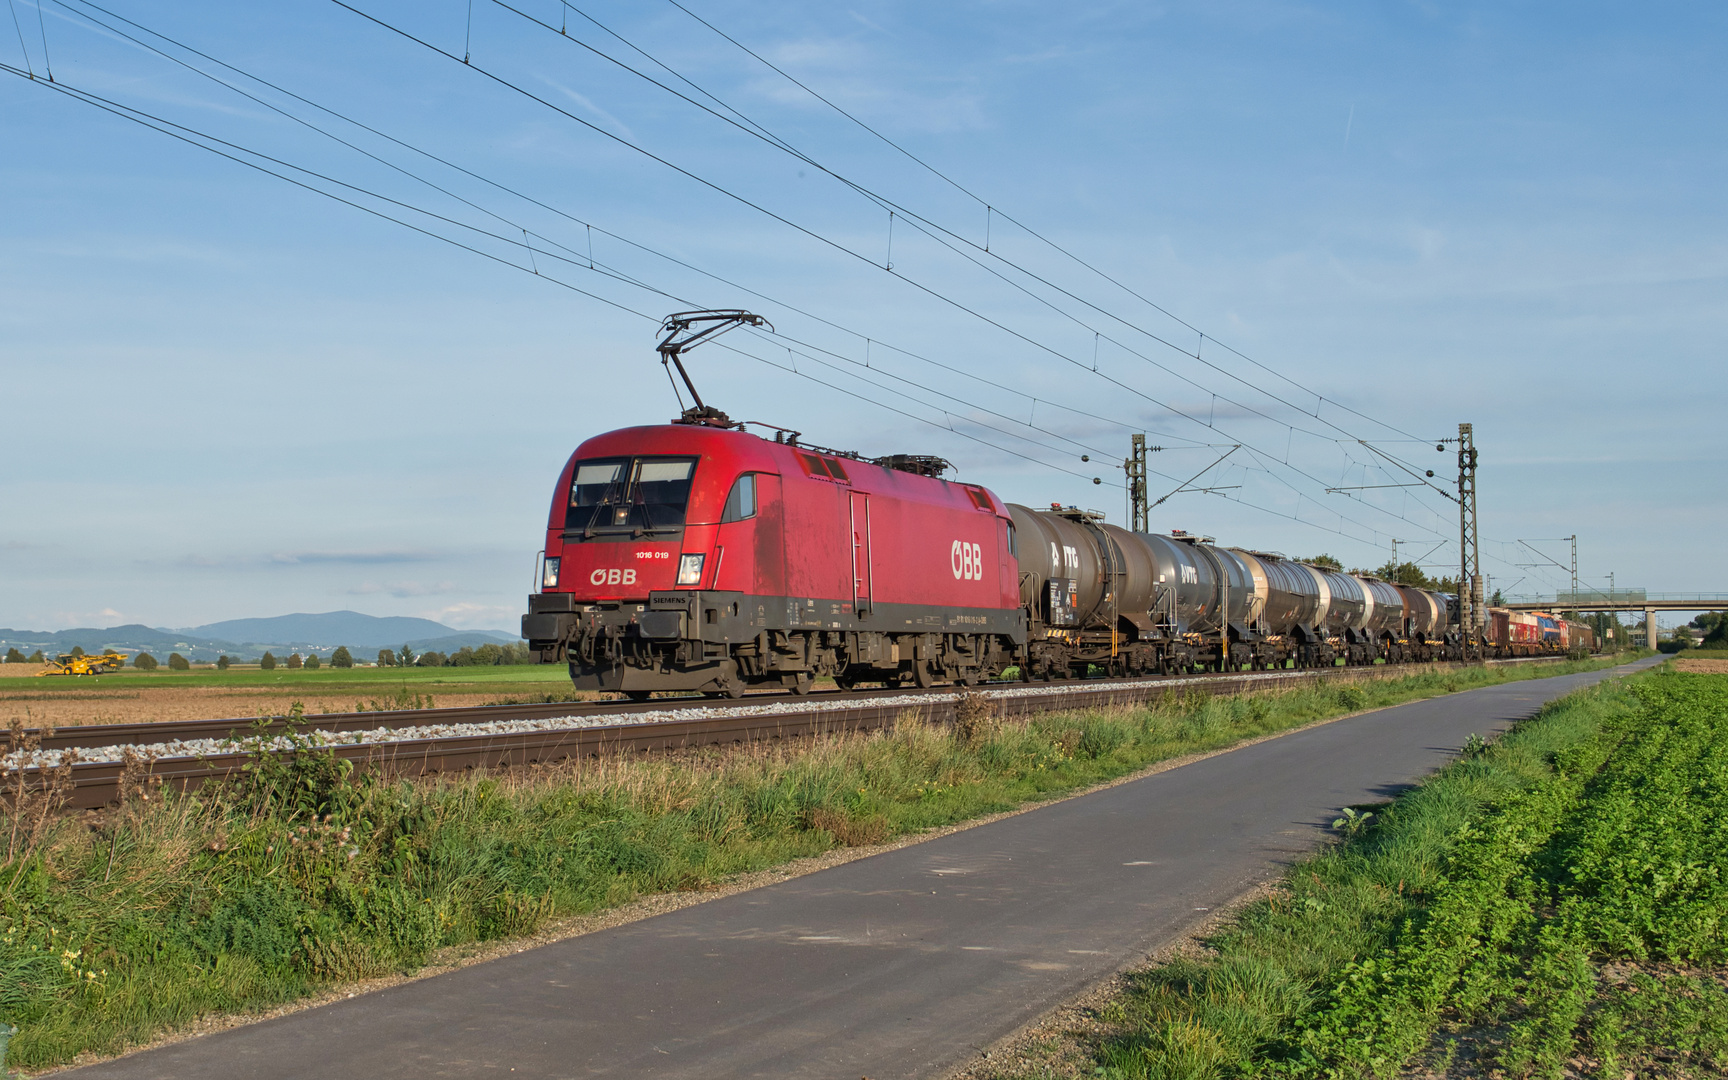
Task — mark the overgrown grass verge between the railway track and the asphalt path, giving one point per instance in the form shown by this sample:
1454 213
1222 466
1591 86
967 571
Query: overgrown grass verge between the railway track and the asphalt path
260 893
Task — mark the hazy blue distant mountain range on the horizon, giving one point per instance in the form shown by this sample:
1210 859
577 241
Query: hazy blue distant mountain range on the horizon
251 638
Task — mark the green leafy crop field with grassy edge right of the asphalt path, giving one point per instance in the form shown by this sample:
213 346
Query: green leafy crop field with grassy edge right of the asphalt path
1554 901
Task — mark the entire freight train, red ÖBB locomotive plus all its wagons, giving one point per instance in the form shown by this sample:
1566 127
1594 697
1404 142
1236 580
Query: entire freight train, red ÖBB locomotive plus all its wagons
768 562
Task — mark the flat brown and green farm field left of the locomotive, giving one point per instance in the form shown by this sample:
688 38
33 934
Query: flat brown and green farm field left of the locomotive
246 692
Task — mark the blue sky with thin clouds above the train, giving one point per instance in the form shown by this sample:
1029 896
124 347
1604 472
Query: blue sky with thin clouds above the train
229 397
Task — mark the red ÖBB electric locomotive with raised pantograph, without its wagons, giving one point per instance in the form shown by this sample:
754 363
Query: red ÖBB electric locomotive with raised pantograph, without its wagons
701 557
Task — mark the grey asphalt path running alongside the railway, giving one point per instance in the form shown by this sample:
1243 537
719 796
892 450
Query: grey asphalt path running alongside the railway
899 965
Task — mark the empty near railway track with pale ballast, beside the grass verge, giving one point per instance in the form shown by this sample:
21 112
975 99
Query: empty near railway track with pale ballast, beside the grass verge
452 740
